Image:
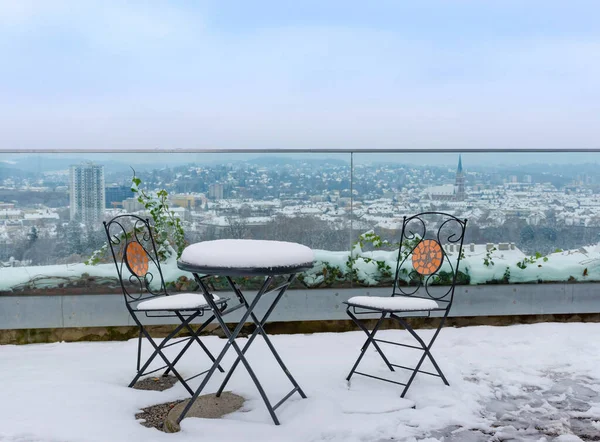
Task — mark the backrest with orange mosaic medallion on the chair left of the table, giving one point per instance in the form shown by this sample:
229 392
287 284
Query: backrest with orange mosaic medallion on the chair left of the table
134 253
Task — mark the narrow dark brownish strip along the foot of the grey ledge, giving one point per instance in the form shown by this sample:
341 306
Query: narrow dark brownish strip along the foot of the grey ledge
77 334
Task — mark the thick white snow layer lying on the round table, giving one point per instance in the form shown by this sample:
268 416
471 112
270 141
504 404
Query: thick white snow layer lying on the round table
246 253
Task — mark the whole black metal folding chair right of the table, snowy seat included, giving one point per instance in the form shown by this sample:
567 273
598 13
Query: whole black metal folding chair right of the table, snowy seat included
426 274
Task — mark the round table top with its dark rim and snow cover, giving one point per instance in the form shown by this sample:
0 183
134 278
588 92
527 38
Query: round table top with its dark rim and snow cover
246 257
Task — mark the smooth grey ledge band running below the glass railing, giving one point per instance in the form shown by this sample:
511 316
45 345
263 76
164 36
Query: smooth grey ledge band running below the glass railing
96 310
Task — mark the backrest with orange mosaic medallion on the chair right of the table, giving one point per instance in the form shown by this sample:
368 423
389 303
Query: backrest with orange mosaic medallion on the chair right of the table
429 255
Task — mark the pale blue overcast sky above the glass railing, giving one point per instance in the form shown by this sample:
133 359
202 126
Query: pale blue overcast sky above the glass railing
299 74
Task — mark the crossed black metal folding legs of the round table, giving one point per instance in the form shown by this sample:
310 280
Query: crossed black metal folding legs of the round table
265 289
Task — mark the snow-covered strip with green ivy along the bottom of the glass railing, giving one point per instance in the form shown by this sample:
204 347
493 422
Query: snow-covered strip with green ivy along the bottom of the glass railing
482 264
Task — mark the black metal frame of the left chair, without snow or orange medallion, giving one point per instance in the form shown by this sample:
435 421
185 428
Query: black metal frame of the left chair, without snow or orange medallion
122 231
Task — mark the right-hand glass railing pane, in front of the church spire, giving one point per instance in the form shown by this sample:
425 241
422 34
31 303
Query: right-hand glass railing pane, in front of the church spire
532 217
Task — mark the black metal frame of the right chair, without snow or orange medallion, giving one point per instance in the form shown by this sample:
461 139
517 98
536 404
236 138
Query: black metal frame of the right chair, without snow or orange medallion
451 230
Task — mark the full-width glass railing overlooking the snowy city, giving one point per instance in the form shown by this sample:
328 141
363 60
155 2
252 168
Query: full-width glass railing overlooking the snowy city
532 217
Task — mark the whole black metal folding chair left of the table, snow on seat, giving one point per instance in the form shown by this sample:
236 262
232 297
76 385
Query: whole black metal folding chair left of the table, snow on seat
137 260
